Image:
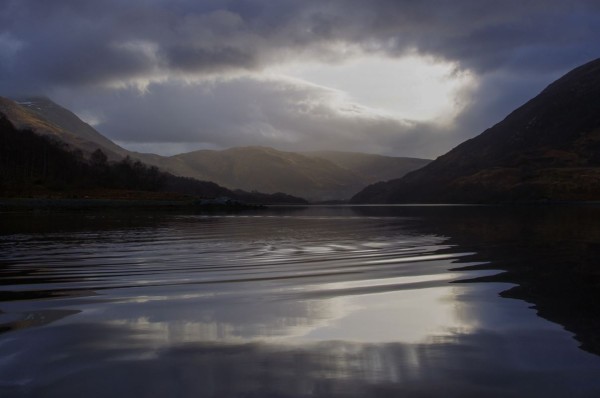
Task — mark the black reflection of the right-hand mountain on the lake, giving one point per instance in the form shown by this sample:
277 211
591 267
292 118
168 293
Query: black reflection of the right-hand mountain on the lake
549 252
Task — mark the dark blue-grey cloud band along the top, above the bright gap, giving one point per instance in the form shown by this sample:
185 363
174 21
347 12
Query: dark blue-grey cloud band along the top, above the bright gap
76 42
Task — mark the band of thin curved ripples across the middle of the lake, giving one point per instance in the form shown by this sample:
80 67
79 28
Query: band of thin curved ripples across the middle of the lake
219 250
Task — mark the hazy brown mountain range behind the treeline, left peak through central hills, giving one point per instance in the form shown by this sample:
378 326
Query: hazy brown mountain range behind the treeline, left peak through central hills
315 175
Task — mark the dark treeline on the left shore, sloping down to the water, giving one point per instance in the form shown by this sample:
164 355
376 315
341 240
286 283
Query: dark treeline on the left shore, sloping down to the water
31 162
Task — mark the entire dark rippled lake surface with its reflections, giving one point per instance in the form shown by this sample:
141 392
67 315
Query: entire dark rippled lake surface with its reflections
301 302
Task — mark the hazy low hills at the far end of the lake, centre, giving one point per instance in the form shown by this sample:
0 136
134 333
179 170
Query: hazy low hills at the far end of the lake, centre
315 175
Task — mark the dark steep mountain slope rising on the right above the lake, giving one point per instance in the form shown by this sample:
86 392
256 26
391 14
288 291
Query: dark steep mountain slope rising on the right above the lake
548 149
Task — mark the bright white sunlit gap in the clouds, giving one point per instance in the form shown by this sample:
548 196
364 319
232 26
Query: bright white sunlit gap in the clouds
412 88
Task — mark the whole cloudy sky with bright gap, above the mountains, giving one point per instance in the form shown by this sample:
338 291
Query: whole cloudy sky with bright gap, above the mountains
394 77
